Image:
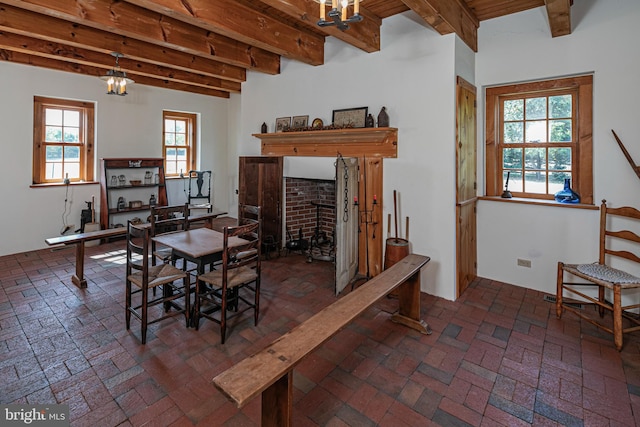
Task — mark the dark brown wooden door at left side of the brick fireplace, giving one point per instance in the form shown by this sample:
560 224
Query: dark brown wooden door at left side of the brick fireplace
260 183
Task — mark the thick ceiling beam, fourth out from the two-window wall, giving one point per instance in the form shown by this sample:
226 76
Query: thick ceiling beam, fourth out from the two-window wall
137 23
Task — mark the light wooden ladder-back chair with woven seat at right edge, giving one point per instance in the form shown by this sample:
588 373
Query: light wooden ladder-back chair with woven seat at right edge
619 247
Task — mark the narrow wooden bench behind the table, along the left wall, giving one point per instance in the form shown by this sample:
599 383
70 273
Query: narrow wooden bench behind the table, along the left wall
79 240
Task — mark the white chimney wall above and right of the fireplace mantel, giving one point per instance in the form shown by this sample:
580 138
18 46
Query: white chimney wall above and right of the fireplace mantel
413 76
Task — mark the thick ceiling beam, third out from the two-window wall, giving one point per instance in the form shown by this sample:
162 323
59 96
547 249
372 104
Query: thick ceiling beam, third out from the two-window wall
33 24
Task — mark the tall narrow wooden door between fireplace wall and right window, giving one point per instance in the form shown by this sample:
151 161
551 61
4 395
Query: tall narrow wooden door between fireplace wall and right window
466 185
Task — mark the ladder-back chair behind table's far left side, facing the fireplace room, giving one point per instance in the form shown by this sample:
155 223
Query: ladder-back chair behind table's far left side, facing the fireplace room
167 219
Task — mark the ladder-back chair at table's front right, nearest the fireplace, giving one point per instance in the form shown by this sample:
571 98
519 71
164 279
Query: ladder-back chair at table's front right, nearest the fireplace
235 287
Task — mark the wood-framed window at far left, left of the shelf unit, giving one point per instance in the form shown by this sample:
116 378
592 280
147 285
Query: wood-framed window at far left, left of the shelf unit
63 140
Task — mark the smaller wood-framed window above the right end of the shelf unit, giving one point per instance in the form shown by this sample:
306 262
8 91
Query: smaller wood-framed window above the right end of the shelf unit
178 142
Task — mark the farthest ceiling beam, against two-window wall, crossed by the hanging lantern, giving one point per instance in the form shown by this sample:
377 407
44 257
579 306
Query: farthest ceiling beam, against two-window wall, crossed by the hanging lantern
75 67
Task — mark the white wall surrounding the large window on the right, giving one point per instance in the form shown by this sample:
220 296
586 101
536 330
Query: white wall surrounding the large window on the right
519 48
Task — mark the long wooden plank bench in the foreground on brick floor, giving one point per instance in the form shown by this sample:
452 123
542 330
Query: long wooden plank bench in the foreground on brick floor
270 371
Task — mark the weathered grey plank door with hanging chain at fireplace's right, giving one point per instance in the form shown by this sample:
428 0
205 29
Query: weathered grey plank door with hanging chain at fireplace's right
346 249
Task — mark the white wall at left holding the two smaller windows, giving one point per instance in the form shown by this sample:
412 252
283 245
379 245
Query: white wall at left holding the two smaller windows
129 126
